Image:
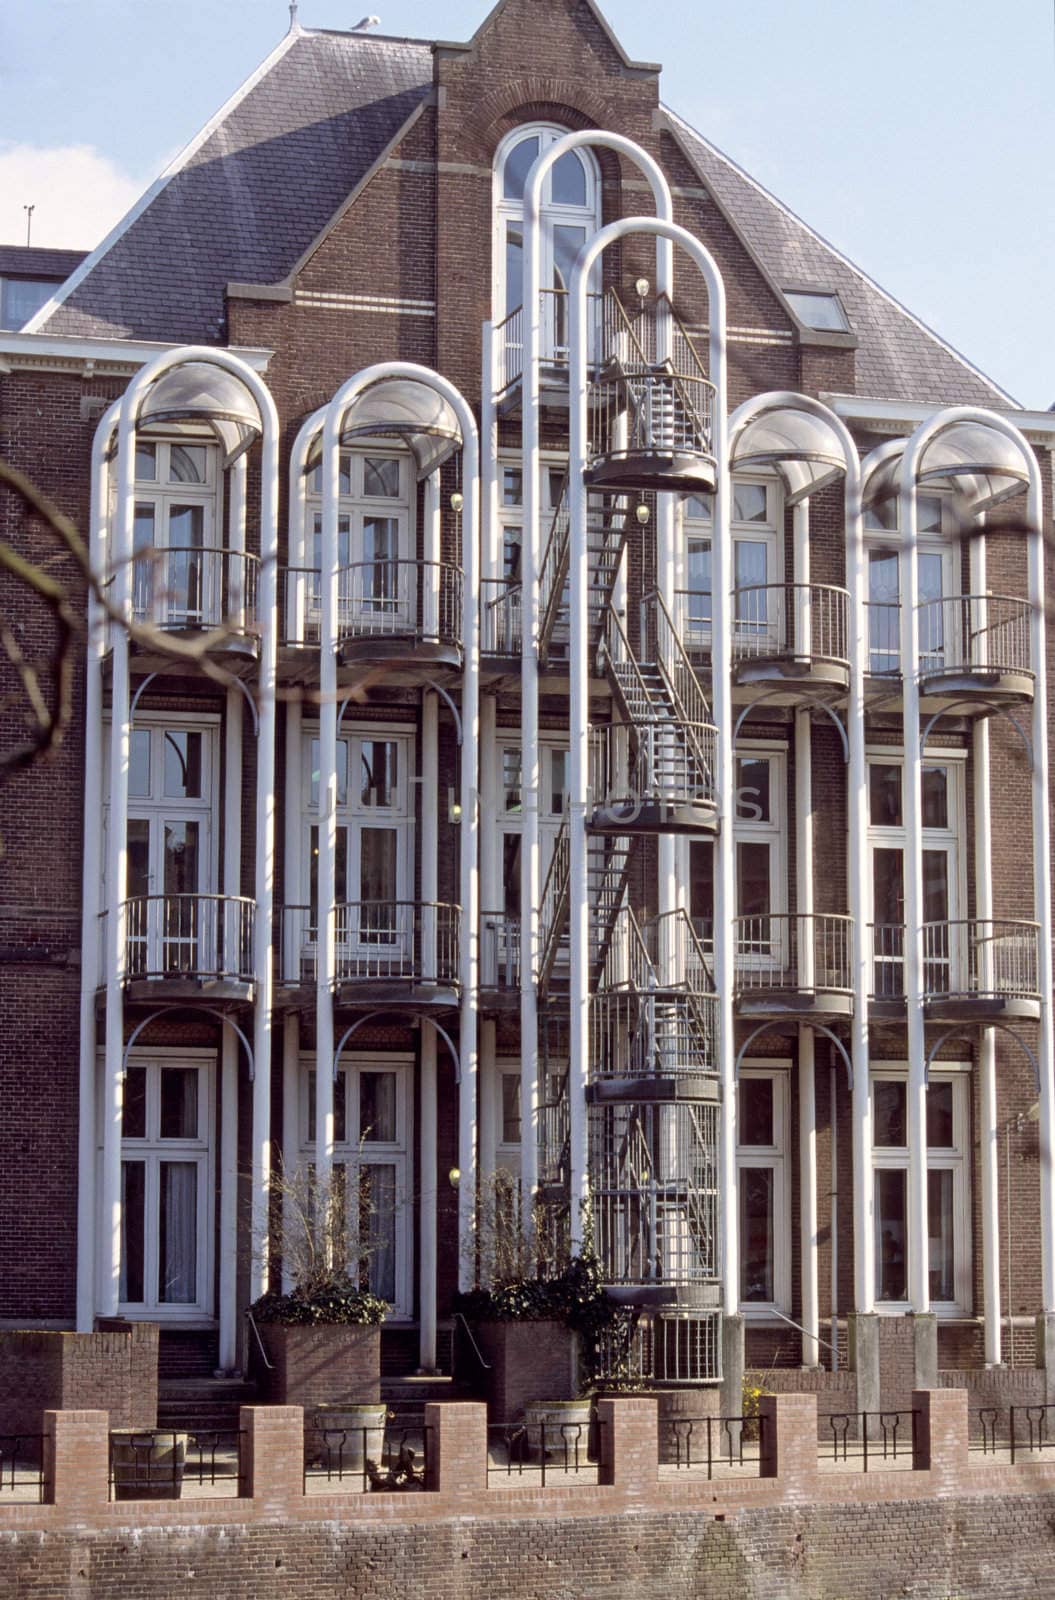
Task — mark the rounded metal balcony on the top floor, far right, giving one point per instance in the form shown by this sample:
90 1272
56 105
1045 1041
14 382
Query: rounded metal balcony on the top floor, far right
976 647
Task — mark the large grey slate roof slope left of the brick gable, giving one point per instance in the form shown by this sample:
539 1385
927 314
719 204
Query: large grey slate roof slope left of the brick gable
246 199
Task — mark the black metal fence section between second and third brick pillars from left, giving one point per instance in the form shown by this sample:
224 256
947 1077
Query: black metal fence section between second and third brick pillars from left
387 1458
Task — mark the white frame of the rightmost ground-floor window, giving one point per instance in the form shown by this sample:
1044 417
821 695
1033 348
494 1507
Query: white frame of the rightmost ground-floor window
958 1162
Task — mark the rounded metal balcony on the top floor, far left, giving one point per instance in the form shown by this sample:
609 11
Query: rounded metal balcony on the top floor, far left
195 591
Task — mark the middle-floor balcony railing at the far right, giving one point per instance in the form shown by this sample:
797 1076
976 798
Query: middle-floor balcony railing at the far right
966 959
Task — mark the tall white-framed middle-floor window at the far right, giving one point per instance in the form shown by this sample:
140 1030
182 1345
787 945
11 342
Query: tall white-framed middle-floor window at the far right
944 870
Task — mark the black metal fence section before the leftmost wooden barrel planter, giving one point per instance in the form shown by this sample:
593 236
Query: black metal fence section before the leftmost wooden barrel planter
169 1465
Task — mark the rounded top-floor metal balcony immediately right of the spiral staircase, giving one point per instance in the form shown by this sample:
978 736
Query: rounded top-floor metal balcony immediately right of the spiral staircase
790 638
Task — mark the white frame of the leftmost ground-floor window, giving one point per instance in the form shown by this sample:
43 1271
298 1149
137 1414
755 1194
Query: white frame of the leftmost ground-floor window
154 1151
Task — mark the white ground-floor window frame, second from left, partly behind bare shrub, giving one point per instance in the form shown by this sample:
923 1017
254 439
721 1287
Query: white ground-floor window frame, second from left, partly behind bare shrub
355 1153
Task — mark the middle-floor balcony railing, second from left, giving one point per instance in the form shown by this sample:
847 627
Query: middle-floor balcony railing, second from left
375 942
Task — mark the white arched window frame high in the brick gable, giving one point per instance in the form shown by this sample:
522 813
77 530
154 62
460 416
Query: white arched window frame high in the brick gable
511 212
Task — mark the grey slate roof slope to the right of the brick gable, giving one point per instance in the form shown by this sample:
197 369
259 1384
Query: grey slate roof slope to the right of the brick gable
899 358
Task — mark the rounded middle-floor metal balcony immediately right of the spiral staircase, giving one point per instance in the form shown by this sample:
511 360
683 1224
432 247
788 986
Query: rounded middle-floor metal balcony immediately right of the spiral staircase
795 966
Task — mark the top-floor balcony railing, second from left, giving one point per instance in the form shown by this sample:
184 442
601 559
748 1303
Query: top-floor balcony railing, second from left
385 599
